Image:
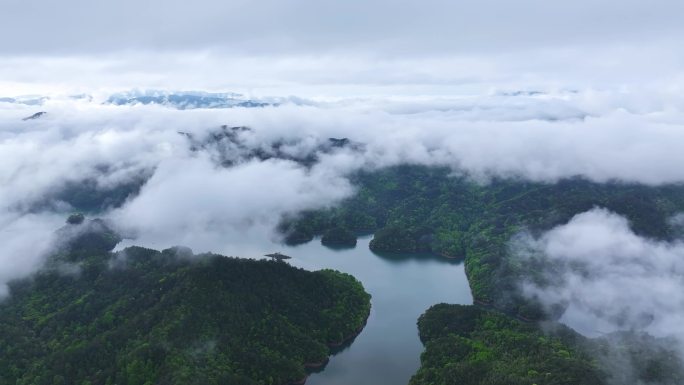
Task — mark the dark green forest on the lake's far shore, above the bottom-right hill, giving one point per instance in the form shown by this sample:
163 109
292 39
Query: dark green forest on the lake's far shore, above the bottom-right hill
415 208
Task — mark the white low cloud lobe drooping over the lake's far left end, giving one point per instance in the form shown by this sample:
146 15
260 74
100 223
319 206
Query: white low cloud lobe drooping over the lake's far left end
193 202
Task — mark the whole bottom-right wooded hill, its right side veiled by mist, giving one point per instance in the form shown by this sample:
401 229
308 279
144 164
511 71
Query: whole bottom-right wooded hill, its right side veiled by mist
468 345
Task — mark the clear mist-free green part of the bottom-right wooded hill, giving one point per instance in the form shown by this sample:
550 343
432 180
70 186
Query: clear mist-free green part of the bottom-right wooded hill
467 345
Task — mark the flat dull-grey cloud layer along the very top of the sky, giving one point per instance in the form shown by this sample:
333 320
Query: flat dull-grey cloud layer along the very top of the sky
316 26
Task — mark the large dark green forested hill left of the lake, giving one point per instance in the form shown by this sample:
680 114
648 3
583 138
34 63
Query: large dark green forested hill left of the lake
141 316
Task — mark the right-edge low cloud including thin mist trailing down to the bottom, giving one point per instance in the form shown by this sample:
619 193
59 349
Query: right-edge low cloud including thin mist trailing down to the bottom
610 279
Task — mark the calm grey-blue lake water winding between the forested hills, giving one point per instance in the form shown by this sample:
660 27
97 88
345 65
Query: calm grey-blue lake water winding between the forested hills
403 286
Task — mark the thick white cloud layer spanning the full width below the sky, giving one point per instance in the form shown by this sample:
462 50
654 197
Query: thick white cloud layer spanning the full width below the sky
192 199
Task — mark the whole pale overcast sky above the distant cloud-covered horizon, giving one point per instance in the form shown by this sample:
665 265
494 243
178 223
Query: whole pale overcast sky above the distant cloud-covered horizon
338 47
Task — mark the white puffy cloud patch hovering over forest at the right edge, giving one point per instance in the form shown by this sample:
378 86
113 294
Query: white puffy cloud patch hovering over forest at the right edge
609 277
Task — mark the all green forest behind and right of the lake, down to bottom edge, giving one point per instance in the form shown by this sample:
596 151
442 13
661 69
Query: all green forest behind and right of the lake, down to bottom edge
499 340
